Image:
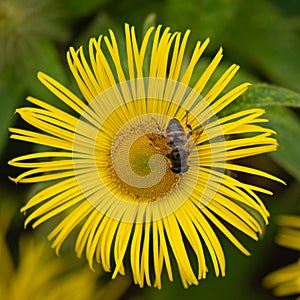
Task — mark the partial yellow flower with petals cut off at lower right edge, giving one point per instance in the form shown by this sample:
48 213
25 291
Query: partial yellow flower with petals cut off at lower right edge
286 280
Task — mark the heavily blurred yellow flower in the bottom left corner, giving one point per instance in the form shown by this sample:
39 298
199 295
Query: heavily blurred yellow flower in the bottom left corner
36 274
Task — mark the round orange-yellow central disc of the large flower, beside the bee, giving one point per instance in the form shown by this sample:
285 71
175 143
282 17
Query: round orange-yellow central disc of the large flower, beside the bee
138 167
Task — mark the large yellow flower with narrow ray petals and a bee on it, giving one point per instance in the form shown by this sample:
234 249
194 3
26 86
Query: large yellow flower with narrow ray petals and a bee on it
116 177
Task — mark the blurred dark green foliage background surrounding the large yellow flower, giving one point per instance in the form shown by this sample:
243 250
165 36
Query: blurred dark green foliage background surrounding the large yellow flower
263 36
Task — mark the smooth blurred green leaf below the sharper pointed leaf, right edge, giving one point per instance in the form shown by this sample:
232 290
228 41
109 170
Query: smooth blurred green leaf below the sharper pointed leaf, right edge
287 125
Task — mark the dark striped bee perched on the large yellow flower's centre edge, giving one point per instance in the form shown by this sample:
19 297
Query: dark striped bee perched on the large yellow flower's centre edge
178 146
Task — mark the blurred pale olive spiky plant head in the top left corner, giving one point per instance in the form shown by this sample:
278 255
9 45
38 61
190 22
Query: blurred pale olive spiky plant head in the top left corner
23 25
